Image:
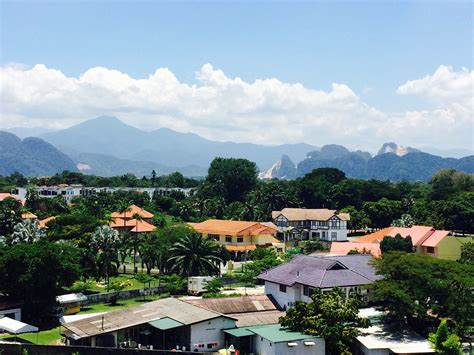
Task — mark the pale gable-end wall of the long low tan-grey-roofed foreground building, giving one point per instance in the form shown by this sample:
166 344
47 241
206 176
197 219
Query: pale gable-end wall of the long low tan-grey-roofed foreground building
210 332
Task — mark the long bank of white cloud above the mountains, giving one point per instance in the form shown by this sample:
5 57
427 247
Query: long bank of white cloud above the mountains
218 107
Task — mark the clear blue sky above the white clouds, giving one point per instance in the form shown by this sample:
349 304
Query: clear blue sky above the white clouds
373 47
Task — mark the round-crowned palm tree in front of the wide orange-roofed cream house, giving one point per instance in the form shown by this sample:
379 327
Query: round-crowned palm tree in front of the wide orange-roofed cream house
194 255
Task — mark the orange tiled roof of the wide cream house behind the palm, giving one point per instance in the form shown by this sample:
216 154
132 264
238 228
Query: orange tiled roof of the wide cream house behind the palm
225 227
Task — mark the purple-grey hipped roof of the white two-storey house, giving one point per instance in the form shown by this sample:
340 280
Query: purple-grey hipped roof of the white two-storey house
323 272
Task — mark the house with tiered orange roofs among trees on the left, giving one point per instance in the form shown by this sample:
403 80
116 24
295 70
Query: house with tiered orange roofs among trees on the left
125 221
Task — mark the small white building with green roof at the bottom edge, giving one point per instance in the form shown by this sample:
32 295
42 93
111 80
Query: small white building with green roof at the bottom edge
272 339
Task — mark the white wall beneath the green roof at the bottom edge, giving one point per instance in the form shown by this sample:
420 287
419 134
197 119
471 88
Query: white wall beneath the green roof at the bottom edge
264 347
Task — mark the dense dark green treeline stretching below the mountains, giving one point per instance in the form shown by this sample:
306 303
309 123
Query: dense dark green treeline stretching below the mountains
232 190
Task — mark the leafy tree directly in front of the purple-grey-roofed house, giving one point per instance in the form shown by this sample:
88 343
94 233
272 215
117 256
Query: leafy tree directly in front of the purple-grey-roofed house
329 315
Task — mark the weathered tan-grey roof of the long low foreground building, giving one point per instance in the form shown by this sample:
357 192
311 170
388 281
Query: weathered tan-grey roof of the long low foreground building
173 308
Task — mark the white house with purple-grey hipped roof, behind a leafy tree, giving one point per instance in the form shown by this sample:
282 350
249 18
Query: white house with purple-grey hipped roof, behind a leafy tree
297 279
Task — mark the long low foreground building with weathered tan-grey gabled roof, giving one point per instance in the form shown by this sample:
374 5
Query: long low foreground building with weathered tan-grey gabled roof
167 323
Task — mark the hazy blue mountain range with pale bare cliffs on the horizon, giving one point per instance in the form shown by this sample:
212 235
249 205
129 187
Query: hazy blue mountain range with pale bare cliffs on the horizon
106 146
